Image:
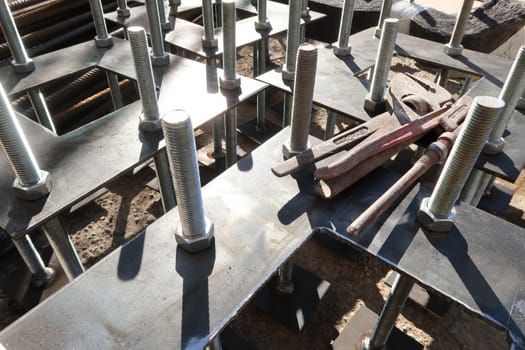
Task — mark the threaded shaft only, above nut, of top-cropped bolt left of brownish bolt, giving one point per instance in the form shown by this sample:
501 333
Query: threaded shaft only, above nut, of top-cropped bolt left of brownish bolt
228 28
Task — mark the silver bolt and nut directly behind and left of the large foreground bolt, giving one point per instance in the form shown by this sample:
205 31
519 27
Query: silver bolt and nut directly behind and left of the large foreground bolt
150 117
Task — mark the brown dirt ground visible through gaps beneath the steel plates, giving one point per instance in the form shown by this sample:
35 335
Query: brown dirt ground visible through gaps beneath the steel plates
130 205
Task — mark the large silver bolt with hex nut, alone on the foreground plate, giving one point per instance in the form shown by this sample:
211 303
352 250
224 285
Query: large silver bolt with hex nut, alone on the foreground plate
195 231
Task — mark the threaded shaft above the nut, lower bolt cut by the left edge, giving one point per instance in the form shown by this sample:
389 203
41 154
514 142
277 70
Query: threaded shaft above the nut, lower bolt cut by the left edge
15 145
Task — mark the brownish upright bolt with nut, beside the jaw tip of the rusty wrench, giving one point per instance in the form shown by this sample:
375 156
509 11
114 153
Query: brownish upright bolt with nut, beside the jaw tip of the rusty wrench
303 93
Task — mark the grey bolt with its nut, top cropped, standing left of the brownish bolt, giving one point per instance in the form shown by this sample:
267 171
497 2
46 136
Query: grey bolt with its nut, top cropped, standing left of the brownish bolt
229 80
